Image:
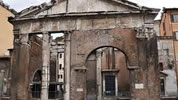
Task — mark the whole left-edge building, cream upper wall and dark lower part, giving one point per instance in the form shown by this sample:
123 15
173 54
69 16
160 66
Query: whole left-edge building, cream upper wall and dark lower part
6 43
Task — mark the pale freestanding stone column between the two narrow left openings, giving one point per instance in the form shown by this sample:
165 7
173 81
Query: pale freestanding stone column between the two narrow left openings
45 66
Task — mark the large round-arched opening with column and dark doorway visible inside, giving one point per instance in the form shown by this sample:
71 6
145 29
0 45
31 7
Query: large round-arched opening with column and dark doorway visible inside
107 74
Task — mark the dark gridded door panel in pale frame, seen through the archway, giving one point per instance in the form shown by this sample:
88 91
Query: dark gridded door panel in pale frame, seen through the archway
110 85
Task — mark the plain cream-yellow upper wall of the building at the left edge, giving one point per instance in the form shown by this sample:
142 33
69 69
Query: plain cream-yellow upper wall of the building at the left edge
6 36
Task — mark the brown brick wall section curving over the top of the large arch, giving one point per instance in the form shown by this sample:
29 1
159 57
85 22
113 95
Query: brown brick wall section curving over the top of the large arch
84 42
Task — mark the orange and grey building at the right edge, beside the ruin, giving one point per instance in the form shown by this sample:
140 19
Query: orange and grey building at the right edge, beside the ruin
168 50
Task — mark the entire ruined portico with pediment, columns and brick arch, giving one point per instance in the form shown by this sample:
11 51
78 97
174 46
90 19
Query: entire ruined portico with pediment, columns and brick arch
89 27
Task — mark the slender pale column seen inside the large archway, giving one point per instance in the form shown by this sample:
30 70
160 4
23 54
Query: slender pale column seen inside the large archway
99 75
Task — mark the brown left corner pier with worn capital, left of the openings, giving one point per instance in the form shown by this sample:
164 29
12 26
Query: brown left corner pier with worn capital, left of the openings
20 73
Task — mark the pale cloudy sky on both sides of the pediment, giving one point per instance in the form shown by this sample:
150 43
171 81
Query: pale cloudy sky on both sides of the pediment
18 5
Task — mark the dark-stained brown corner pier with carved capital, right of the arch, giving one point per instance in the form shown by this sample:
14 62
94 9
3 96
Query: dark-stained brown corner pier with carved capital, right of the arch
147 84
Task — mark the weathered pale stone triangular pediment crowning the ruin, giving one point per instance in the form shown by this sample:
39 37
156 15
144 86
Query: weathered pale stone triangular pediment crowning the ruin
73 6
